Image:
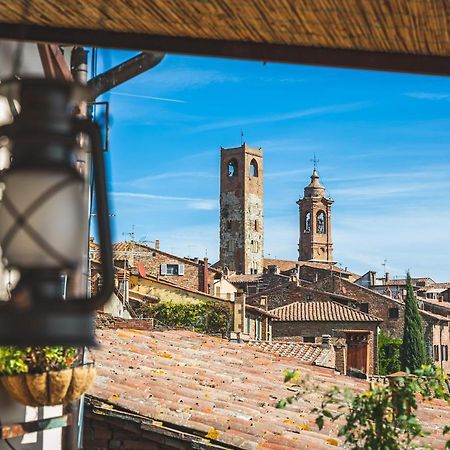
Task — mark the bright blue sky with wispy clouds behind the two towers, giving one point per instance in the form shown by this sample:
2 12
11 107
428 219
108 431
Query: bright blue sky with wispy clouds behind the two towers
382 141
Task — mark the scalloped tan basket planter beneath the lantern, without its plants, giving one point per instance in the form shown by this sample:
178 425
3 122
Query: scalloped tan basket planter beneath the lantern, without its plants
50 388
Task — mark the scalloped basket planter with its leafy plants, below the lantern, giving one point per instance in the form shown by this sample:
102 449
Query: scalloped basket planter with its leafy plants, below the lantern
41 376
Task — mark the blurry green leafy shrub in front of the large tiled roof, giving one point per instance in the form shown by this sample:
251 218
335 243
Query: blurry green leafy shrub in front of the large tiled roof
383 417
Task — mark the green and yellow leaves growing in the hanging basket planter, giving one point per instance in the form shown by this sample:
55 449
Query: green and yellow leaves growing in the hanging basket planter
16 360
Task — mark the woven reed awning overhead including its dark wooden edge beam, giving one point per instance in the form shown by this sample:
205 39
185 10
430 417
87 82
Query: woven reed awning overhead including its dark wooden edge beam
404 35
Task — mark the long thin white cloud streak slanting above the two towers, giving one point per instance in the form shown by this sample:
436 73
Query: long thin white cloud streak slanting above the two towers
323 110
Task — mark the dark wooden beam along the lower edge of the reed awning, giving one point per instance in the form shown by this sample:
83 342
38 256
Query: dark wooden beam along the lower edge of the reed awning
318 56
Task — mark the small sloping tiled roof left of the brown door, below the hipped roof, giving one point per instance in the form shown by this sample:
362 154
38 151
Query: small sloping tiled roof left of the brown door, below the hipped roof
307 353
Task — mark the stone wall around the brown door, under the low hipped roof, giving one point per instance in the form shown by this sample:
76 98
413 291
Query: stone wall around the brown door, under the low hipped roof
299 330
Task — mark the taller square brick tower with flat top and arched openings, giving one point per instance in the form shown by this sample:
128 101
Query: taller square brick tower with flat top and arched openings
241 209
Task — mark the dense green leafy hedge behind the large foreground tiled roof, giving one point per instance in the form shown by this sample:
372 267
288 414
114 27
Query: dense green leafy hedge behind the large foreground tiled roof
203 317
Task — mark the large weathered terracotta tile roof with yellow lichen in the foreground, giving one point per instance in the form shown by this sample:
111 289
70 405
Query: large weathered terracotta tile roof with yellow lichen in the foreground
186 381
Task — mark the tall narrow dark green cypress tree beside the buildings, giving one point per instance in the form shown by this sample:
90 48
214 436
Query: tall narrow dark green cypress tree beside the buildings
413 354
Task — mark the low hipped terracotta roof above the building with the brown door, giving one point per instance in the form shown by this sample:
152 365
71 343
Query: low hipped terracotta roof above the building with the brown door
317 311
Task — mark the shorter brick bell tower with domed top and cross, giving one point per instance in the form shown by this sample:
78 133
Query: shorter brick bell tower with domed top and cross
315 243
